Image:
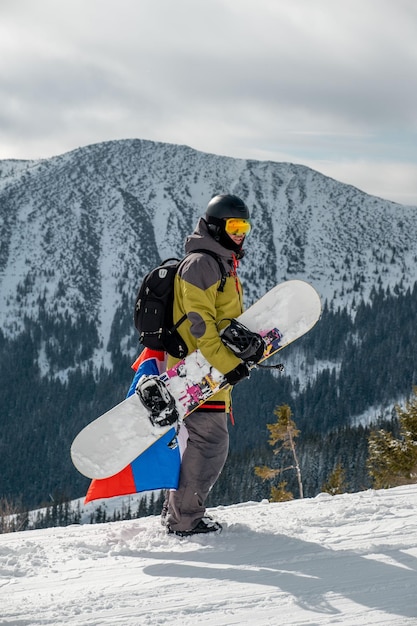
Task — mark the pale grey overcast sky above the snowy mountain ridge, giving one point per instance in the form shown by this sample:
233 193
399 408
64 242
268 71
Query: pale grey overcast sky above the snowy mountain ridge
331 84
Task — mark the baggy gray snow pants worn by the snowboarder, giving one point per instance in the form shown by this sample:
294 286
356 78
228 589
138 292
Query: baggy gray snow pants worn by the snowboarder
201 465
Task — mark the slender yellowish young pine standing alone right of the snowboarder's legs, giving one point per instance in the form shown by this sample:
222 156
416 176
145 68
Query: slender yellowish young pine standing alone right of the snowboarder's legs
283 432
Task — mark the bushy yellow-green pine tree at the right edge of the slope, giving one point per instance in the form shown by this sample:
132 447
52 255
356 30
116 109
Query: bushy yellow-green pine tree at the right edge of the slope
392 461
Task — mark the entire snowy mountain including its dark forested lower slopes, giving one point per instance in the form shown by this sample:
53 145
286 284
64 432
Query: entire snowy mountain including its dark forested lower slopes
79 231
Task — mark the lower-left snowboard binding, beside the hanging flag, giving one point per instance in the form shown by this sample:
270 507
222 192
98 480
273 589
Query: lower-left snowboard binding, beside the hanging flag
156 398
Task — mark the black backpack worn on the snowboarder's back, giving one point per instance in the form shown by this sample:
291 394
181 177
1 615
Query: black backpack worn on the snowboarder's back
154 307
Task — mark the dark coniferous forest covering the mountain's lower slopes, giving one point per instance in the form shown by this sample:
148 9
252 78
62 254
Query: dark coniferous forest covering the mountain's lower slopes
366 358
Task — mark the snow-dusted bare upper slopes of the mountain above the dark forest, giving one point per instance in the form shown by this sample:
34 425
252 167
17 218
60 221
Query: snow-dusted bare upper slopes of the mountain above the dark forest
78 231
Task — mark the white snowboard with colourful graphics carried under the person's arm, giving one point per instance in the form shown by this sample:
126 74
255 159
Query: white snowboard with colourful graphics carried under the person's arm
112 441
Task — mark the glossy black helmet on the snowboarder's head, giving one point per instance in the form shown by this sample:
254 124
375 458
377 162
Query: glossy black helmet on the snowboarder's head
218 210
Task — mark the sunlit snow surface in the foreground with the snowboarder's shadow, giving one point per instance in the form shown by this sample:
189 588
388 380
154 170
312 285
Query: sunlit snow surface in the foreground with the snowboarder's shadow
349 559
